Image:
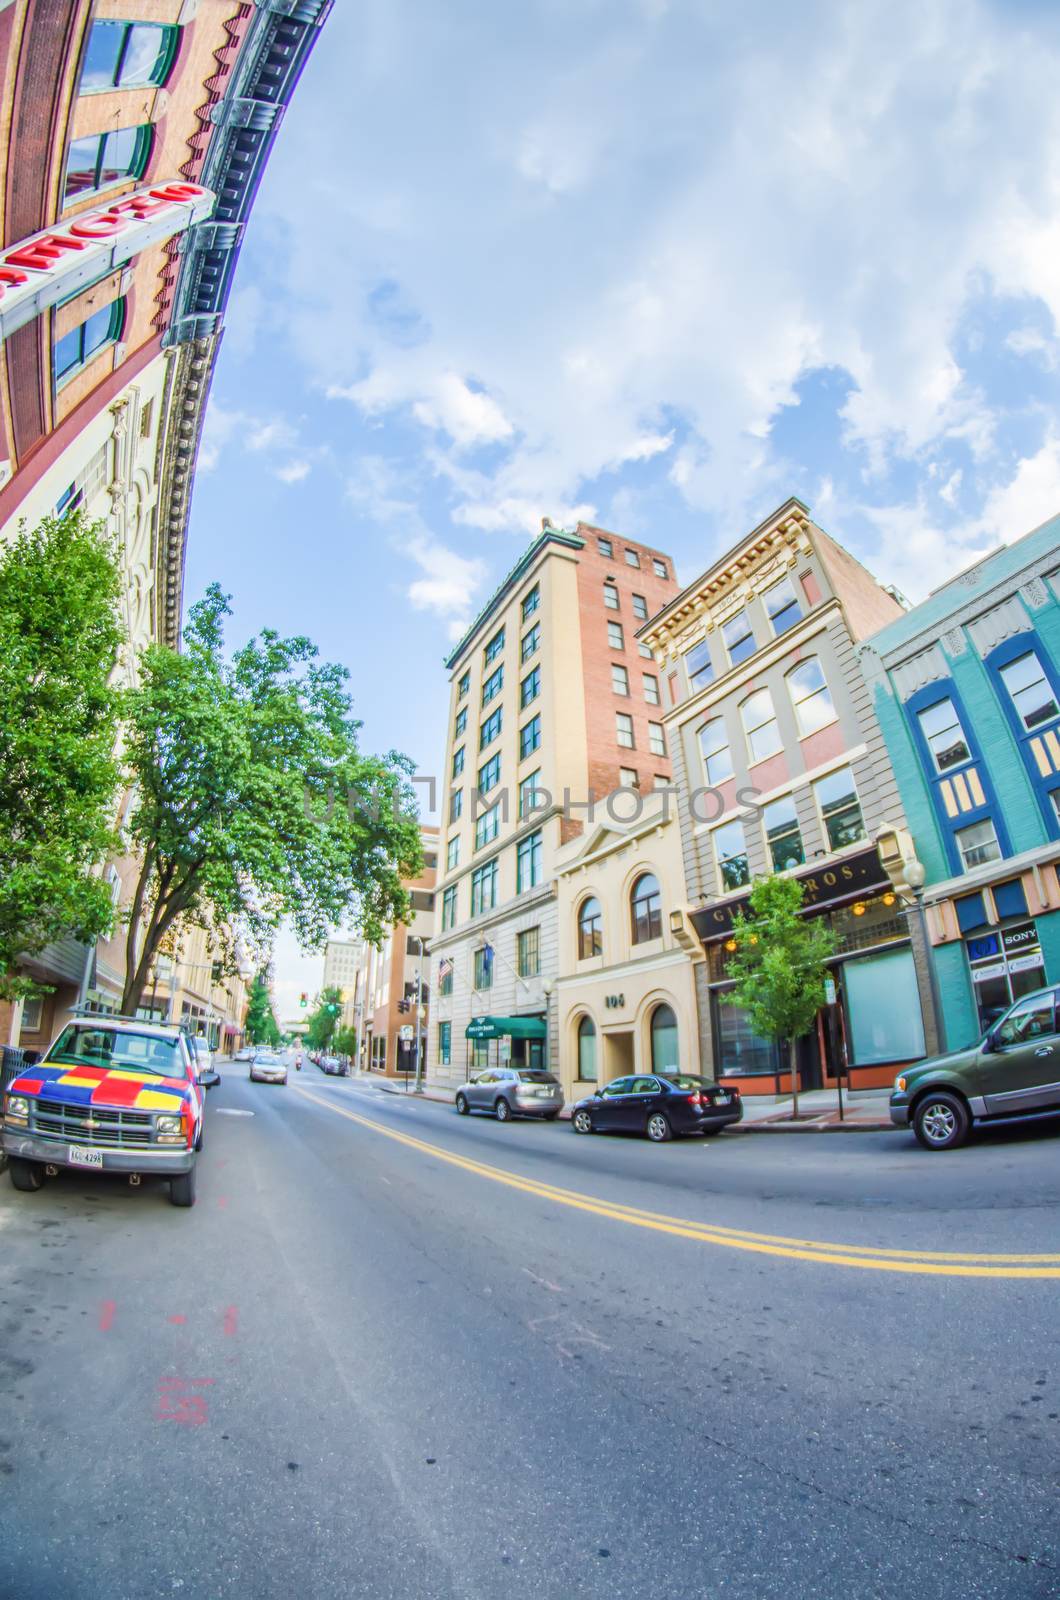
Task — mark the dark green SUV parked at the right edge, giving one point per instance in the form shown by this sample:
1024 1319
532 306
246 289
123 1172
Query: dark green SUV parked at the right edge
1014 1071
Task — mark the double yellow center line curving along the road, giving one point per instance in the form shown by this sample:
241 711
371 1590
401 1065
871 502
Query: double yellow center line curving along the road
926 1263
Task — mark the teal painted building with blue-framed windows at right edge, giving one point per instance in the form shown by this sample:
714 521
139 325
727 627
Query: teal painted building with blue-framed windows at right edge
968 700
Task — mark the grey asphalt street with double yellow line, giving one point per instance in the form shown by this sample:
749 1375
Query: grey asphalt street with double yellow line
396 1353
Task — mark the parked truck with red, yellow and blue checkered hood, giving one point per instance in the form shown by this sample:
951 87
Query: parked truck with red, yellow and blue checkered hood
113 1095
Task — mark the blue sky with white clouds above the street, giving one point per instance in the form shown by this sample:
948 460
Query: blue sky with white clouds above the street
654 263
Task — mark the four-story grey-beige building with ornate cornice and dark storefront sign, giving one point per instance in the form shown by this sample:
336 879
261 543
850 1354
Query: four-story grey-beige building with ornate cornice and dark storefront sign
779 770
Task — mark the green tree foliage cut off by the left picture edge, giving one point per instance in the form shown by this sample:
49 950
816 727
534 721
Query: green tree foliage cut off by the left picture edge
60 641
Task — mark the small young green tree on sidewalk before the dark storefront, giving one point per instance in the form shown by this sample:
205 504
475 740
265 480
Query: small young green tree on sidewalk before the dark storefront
779 967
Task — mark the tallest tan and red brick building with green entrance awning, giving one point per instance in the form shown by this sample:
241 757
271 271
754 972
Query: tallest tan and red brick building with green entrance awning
553 708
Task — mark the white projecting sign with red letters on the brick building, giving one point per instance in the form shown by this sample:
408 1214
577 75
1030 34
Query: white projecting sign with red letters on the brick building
55 265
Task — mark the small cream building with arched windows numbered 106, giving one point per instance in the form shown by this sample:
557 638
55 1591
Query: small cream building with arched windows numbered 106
627 985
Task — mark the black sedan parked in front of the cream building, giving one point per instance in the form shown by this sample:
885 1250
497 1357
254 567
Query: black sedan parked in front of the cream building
659 1106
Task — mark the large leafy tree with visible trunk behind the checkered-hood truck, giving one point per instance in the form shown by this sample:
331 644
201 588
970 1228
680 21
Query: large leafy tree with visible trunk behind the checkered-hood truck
255 802
